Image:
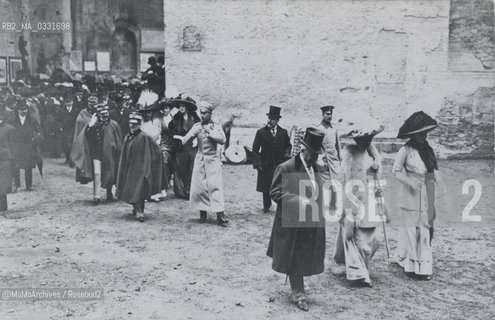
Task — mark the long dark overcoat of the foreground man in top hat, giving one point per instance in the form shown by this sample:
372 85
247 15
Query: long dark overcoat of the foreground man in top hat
296 247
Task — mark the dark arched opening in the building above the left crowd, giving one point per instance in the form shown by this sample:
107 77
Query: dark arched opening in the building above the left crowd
123 53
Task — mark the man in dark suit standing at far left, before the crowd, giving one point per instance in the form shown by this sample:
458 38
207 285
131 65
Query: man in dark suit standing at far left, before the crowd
26 137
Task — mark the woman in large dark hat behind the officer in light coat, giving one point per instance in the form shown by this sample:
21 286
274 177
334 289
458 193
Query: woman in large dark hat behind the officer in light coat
183 155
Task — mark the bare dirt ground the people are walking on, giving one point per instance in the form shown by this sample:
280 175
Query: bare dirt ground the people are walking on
172 267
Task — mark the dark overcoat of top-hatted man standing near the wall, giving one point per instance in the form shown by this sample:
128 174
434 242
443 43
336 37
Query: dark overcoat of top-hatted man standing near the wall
268 153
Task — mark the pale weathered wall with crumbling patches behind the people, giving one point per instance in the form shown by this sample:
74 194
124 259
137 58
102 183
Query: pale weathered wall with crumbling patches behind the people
387 58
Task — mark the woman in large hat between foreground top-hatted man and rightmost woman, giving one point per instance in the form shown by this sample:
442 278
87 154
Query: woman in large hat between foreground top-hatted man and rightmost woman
357 239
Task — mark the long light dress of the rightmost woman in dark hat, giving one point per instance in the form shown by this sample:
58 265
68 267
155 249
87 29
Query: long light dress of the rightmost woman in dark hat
414 252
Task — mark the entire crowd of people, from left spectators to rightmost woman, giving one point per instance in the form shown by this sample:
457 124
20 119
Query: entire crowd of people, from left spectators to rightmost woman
136 140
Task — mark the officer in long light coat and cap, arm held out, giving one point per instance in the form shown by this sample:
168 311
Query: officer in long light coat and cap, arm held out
206 184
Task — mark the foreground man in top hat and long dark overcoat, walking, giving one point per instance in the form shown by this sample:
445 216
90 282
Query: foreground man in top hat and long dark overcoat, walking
297 241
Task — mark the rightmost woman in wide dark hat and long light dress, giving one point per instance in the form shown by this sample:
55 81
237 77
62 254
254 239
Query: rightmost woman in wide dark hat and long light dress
415 168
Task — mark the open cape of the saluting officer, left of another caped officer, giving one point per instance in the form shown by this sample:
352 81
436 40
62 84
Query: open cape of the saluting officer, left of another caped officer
112 146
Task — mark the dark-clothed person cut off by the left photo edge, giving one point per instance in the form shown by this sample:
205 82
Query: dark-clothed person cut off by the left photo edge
6 158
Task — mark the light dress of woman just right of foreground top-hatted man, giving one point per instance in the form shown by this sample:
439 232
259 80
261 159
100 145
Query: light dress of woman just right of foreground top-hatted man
357 250
